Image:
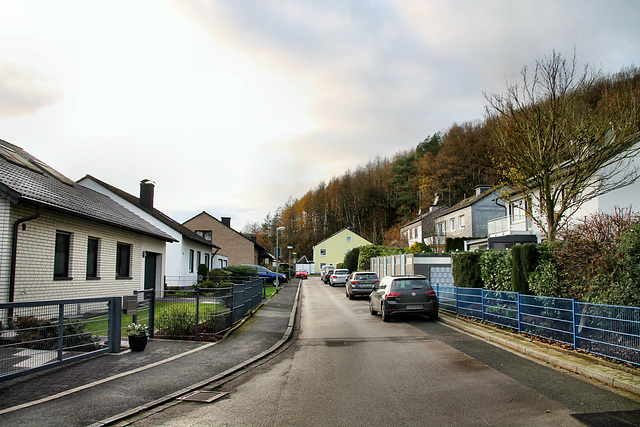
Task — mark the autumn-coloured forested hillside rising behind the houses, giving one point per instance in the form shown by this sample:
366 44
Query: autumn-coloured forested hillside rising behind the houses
379 197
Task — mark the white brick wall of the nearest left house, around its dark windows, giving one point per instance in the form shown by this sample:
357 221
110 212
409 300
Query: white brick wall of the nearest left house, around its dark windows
35 257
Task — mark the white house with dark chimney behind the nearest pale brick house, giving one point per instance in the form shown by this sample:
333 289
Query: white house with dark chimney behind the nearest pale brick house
184 254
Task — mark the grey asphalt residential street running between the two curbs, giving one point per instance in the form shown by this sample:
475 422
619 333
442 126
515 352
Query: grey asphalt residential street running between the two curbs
347 367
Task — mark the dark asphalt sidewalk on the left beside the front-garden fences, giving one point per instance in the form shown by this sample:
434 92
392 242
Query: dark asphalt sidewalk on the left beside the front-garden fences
100 389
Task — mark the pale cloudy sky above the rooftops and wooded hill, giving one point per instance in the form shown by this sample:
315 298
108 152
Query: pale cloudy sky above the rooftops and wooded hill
234 106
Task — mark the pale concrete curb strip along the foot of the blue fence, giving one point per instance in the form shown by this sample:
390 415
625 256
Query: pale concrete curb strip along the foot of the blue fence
581 364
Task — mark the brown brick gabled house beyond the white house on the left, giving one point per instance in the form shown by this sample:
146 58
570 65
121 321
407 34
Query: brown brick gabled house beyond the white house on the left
235 246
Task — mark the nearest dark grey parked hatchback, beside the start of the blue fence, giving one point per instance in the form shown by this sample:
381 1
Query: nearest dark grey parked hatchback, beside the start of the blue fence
396 295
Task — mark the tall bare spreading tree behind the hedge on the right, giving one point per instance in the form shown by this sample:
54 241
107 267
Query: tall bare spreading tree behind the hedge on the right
566 136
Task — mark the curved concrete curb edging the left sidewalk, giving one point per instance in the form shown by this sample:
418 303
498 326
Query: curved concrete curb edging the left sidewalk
287 334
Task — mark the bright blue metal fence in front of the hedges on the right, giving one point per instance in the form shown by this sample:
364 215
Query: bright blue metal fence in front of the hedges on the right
607 330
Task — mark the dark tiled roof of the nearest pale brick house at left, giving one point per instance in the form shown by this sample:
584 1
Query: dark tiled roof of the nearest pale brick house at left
23 178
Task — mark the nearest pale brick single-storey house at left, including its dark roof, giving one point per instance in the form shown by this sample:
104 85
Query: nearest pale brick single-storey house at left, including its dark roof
61 240
